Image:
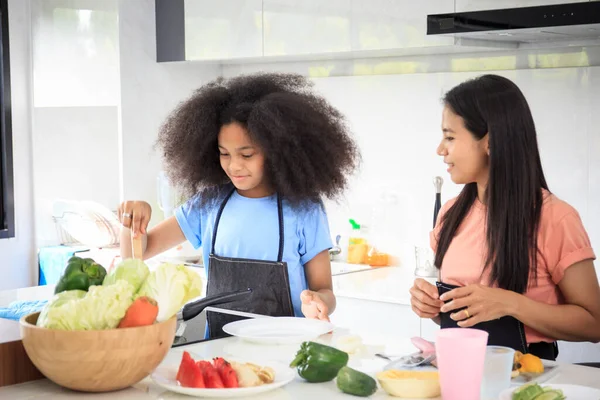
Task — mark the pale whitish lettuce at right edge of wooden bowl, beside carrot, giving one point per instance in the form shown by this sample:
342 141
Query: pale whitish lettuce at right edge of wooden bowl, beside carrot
171 286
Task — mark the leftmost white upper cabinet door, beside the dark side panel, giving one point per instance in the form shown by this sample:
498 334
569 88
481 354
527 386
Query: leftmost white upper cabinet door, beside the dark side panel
219 30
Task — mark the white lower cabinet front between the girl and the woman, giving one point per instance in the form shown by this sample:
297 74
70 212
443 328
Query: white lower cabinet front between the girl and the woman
373 318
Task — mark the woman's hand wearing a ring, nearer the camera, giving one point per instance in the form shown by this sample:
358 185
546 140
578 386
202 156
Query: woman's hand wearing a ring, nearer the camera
482 304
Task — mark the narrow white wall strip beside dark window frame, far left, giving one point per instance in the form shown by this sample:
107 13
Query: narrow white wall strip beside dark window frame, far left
17 255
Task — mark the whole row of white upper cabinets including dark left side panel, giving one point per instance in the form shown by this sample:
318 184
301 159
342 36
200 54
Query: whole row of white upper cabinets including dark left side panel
257 30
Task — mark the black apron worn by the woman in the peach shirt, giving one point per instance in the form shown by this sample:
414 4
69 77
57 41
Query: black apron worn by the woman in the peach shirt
505 331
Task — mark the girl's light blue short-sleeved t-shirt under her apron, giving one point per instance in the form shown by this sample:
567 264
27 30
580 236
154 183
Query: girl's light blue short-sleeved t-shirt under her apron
249 228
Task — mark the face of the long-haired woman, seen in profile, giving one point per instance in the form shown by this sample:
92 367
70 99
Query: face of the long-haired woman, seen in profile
467 158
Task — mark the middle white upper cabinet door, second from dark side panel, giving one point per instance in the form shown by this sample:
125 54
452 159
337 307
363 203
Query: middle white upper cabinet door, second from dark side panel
301 27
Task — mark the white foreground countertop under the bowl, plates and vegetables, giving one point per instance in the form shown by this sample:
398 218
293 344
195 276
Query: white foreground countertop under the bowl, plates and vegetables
297 389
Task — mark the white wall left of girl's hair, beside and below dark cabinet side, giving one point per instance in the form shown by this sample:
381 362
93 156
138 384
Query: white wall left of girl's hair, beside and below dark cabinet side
149 91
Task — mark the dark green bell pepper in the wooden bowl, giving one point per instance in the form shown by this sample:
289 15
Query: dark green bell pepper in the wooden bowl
80 274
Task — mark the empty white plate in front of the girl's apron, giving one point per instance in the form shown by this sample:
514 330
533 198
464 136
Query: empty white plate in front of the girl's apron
278 330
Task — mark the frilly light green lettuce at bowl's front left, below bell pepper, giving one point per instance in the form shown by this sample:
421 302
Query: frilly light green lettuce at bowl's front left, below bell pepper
102 307
